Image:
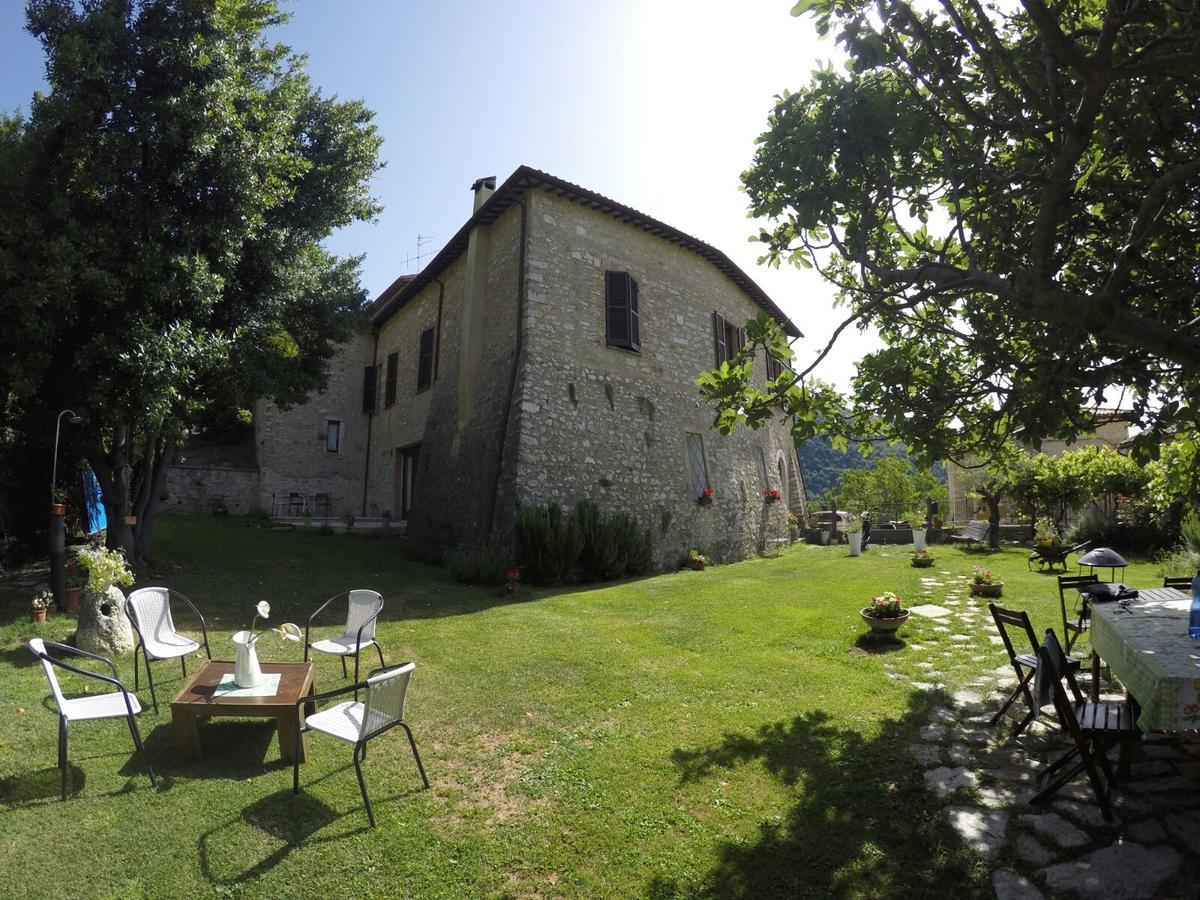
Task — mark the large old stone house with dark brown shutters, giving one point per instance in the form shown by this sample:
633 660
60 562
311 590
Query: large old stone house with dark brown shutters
548 353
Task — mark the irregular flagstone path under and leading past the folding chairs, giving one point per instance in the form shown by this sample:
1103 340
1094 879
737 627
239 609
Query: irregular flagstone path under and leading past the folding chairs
987 777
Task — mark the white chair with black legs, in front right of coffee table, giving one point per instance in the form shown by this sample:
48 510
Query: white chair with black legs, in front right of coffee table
383 709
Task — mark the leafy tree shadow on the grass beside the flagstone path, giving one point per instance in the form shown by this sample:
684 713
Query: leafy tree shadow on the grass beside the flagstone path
863 824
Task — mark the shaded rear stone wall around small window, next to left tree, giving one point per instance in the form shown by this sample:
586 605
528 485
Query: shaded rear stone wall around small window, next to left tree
292 443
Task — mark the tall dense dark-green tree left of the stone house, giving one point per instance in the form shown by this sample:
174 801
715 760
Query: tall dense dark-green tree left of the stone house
161 243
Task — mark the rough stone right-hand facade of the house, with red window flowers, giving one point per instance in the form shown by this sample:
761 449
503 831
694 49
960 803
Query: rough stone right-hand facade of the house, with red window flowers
611 425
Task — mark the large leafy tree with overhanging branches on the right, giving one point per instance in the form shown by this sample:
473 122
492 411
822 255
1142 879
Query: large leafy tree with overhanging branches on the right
1010 194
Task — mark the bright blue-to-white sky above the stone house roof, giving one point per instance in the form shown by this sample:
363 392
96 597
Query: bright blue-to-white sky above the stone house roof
656 104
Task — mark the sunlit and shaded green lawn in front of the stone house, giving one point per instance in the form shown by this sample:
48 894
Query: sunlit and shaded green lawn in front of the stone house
718 734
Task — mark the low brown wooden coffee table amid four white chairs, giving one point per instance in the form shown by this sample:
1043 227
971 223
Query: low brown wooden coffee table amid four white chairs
199 700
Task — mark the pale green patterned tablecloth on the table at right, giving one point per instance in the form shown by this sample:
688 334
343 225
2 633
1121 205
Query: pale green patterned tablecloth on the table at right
1148 649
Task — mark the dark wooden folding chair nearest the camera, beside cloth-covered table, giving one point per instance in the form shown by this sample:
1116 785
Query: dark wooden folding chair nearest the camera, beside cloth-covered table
1095 729
